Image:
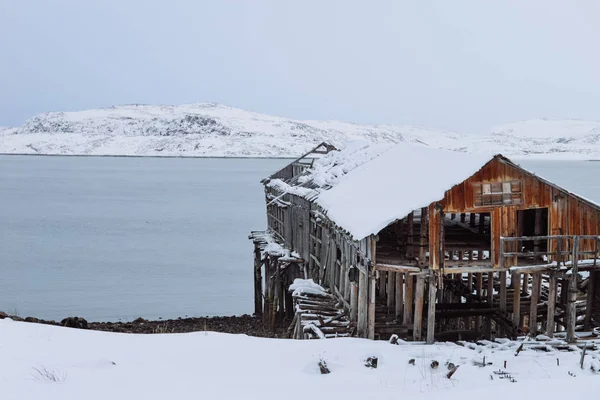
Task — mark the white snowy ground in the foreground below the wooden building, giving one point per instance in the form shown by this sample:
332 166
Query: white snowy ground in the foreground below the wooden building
99 365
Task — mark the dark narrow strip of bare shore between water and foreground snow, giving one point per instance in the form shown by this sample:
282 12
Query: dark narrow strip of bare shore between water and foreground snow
236 324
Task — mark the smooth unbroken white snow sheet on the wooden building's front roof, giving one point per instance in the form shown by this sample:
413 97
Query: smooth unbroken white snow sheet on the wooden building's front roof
401 179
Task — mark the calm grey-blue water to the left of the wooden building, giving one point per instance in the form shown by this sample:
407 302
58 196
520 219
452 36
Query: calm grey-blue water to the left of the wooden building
117 238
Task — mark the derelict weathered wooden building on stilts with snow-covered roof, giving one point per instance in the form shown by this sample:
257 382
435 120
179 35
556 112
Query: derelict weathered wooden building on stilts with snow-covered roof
424 244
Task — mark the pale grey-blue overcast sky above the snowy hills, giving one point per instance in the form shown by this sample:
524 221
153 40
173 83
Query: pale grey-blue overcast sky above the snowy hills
462 65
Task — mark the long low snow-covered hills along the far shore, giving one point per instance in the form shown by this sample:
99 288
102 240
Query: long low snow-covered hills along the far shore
209 129
